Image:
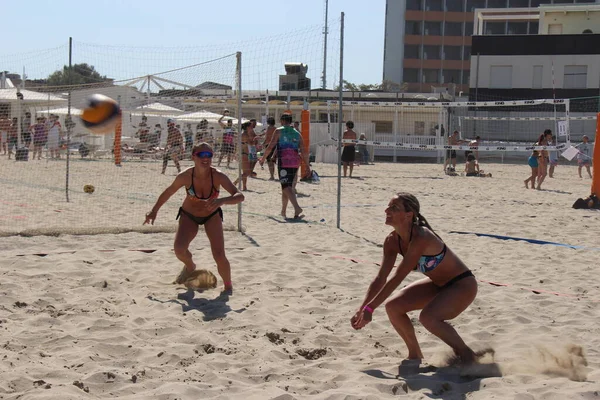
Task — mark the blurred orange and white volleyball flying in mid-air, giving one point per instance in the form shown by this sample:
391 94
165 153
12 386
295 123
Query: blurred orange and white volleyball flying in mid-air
100 114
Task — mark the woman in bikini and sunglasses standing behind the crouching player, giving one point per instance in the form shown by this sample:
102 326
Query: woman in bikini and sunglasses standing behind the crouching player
200 207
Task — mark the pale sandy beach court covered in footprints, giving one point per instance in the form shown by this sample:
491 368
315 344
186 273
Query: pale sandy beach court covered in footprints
95 316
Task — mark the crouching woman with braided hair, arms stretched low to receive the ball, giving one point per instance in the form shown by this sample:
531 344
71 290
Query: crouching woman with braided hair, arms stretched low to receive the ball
447 290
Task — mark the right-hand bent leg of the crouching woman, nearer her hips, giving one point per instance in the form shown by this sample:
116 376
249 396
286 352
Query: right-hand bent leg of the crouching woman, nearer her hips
447 305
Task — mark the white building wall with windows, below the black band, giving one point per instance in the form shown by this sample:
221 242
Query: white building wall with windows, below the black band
523 69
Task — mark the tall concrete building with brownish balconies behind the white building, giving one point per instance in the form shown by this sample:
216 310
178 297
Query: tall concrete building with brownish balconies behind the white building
428 42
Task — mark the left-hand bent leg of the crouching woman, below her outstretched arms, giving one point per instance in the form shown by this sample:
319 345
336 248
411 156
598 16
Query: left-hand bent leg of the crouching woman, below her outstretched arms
413 297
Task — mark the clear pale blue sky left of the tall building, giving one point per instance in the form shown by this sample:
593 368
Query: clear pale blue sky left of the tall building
136 37
